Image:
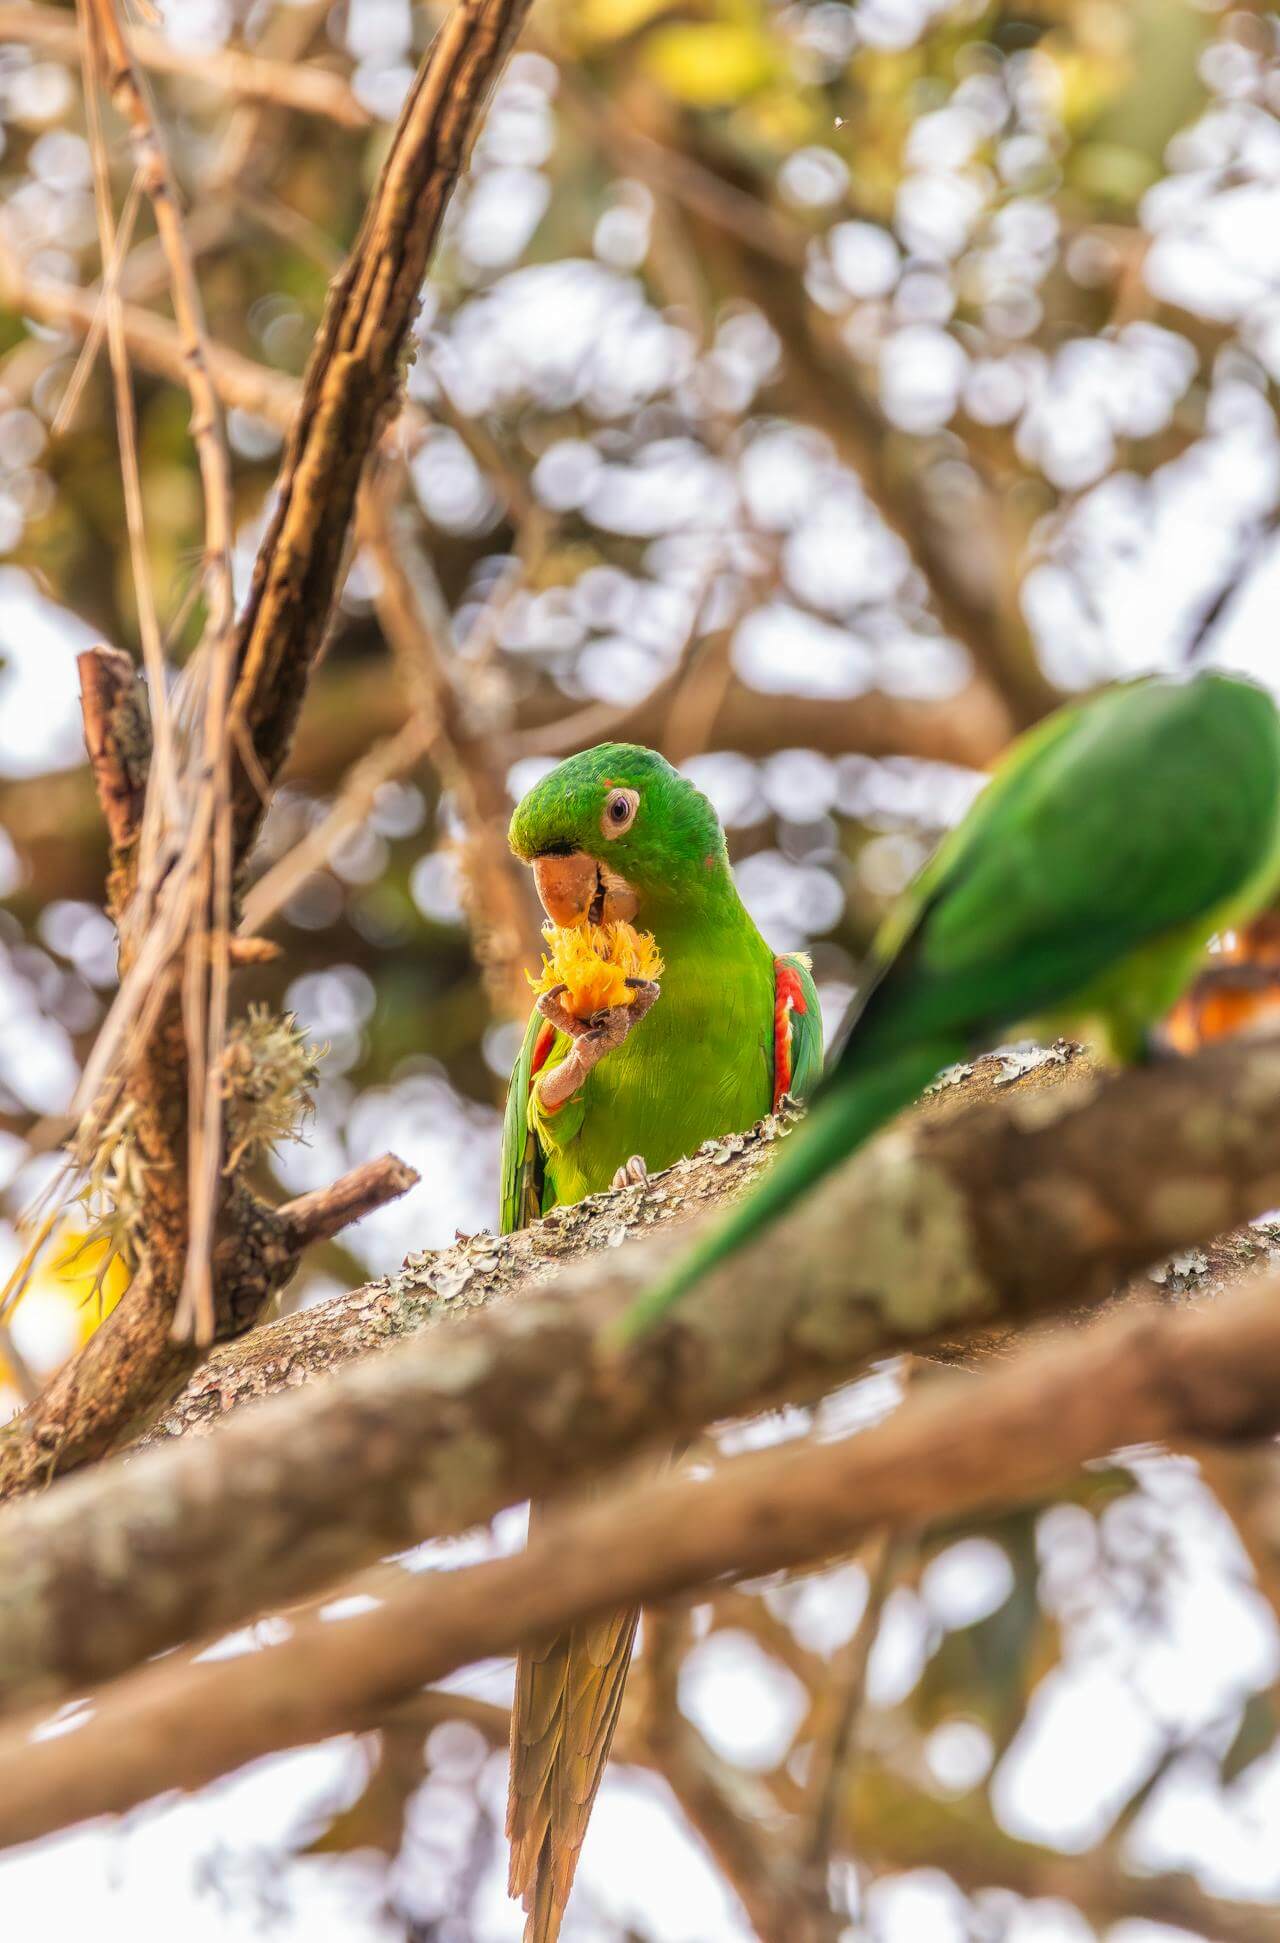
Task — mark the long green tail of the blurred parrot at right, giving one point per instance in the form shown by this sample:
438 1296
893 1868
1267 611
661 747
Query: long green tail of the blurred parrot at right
846 1114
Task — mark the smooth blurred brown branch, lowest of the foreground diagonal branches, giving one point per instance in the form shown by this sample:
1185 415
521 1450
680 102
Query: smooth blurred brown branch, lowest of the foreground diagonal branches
959 1449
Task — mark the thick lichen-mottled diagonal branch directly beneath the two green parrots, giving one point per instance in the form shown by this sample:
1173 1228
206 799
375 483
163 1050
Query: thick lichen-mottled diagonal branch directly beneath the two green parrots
964 1223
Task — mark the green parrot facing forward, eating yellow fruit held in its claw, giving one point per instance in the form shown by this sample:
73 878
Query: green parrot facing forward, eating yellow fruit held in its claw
619 835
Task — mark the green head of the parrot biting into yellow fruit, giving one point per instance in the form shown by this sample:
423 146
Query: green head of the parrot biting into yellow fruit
617 833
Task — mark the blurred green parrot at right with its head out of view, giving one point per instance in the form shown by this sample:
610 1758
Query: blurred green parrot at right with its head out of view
1079 895
